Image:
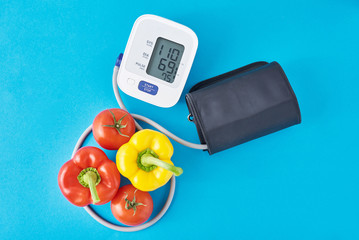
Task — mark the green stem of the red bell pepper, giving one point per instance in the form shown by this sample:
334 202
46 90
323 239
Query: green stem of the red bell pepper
89 177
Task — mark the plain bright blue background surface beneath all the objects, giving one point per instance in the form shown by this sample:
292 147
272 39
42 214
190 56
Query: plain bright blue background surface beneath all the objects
56 61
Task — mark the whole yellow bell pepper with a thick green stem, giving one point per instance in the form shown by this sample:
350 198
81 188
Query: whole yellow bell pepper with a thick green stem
146 160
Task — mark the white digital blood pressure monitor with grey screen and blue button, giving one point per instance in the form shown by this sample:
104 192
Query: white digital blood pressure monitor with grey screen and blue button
157 60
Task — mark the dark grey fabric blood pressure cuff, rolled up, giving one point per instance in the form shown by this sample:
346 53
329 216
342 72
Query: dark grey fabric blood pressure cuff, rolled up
242 105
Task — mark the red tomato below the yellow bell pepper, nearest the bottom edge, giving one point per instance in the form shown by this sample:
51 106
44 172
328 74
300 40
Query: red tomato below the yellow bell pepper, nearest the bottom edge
131 206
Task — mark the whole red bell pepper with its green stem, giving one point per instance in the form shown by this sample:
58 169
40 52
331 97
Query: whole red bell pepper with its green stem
89 177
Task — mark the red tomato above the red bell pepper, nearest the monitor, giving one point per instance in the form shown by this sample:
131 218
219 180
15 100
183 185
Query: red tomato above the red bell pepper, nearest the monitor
112 128
